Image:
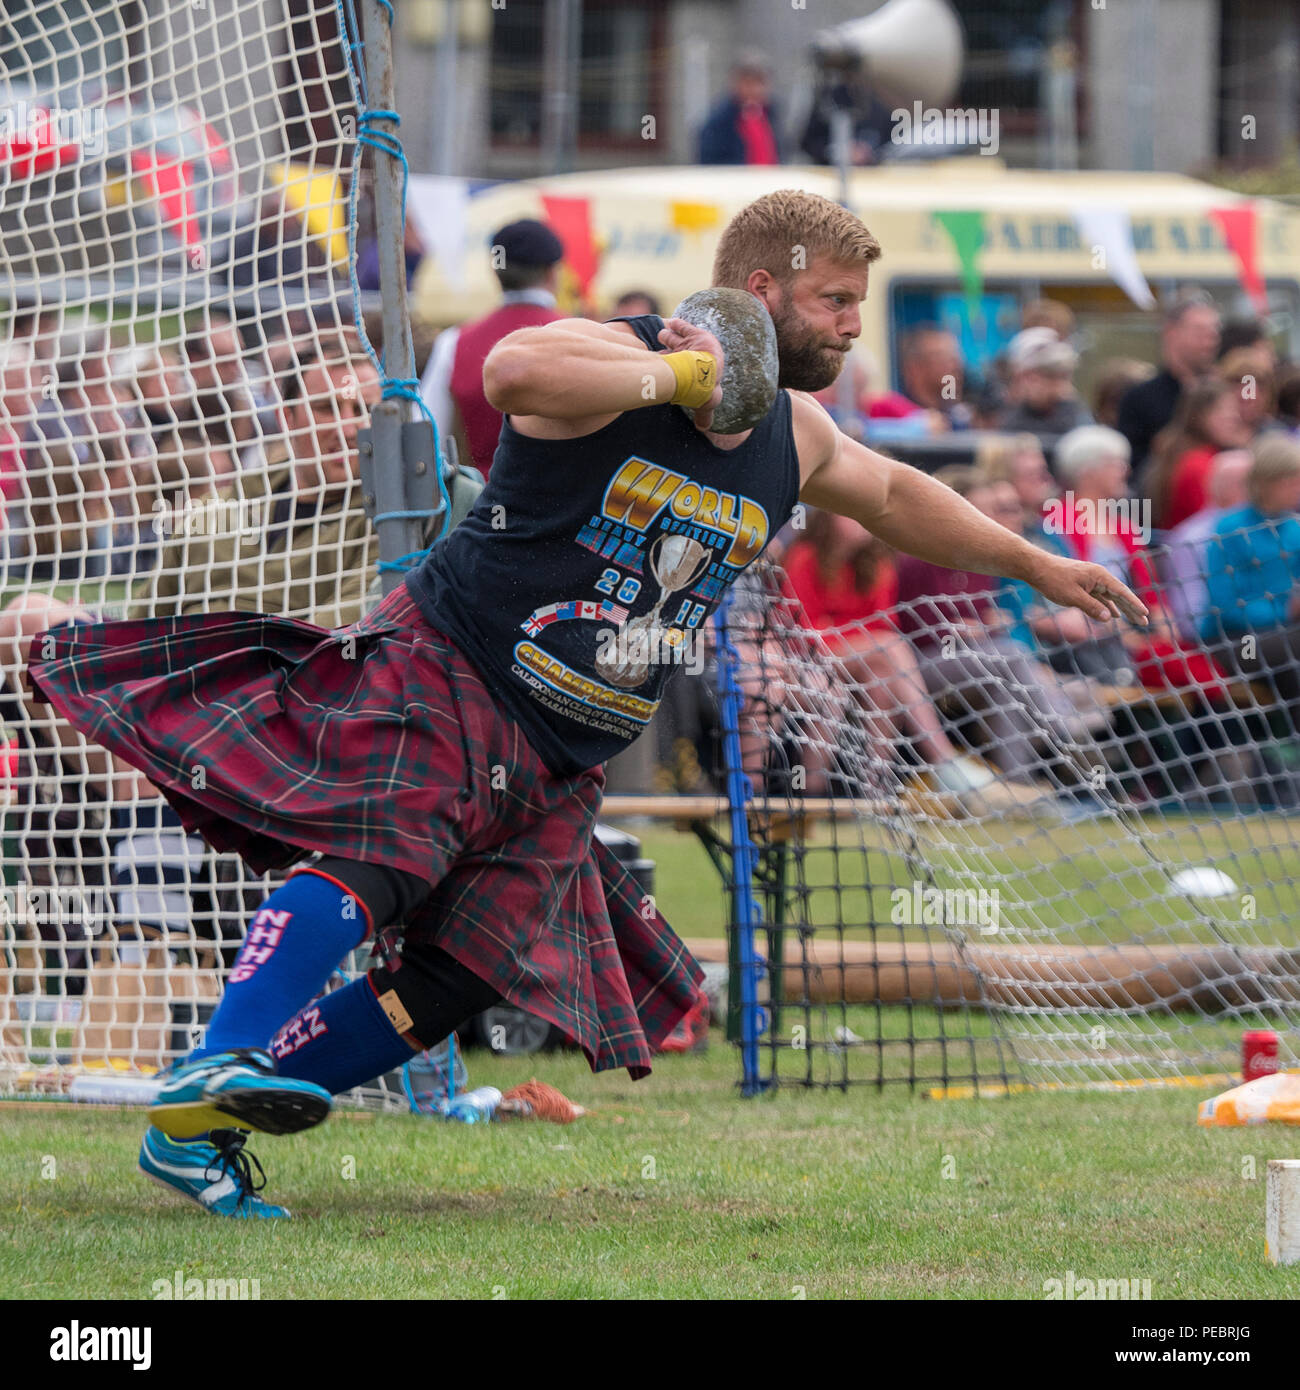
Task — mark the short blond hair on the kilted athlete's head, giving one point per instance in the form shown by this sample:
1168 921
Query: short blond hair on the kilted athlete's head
785 233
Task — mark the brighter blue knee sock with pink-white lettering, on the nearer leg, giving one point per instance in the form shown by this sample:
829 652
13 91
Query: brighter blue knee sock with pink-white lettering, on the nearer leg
294 943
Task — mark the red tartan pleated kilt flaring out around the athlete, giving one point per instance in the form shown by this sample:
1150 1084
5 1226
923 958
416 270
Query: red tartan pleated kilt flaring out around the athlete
380 743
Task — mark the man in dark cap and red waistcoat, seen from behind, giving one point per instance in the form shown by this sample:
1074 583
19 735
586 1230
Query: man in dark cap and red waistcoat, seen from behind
526 258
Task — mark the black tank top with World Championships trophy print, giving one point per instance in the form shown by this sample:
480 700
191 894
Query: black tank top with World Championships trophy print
579 579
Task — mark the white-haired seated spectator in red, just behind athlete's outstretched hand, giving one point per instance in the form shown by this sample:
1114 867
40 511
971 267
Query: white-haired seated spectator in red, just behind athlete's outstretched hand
1103 525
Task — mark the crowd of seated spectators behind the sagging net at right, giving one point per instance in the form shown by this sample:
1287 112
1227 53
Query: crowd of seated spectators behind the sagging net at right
1181 477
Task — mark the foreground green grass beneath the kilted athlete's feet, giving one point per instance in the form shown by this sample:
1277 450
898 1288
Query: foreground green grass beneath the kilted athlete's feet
672 1189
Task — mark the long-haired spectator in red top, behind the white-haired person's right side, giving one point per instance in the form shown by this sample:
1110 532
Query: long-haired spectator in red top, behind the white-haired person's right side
1209 419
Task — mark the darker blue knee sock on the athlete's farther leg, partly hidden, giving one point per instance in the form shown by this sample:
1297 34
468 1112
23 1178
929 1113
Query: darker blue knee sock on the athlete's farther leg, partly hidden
341 1042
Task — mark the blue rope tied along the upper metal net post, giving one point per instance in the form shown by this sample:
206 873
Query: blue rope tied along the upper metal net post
394 389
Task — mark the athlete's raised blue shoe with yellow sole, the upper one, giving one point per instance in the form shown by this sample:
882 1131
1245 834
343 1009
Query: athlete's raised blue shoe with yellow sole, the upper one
238 1089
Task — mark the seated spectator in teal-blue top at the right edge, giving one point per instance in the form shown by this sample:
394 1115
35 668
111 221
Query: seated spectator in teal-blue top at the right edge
1253 576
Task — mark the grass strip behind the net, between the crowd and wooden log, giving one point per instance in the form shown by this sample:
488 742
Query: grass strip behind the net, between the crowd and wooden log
1088 883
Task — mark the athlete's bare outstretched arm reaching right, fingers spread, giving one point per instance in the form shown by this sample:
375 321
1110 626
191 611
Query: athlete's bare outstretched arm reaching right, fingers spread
916 515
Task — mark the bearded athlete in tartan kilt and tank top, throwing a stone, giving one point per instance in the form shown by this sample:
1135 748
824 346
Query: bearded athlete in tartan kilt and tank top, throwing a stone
444 755
